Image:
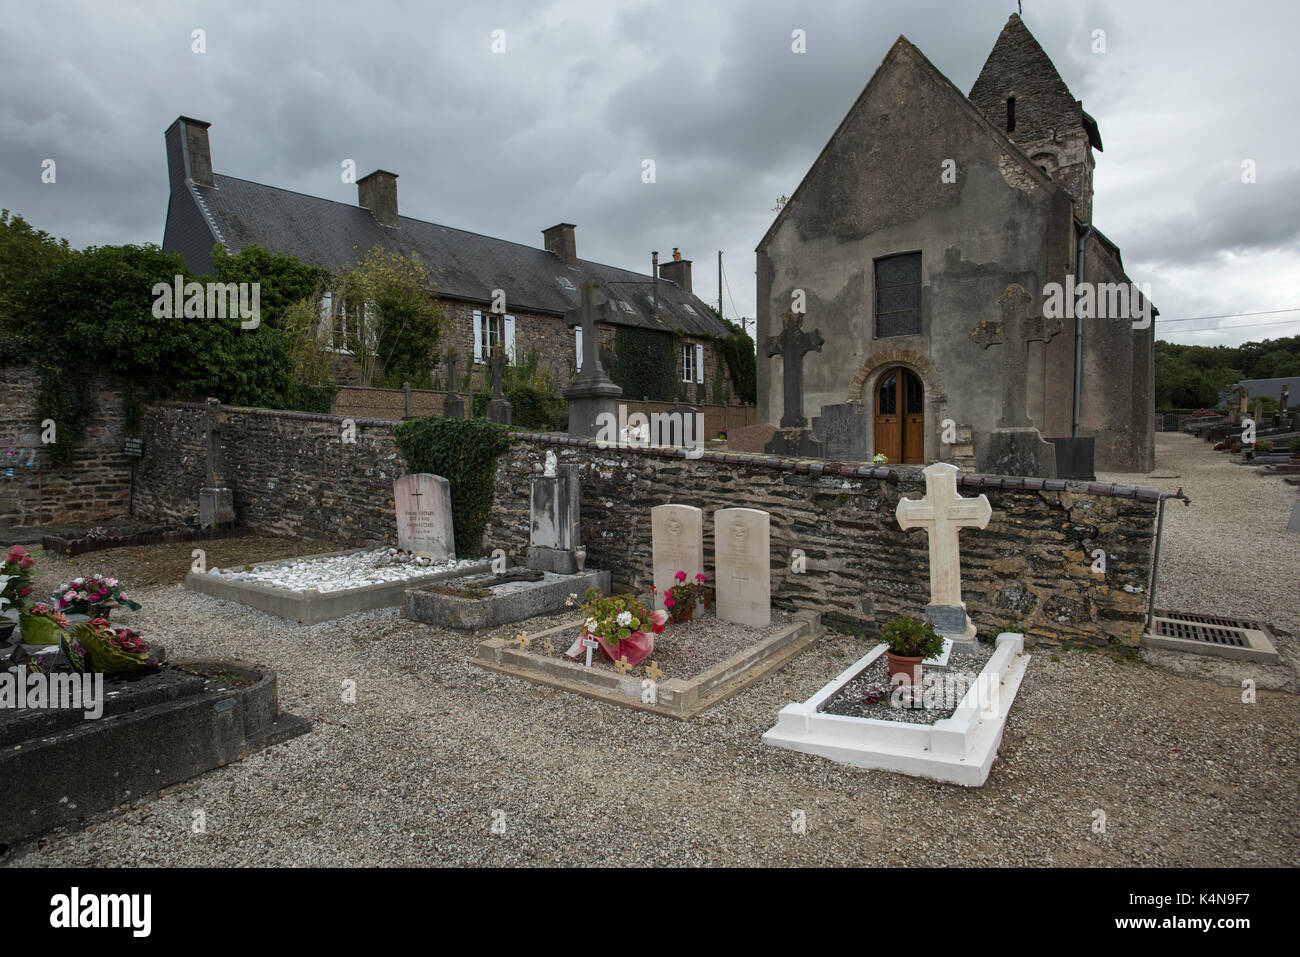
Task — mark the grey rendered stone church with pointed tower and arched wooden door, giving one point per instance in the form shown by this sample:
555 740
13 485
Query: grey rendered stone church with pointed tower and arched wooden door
924 210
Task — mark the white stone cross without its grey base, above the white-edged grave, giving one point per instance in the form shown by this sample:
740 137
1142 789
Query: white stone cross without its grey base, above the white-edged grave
942 513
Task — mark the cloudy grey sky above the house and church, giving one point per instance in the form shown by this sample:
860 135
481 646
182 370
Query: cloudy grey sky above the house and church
557 127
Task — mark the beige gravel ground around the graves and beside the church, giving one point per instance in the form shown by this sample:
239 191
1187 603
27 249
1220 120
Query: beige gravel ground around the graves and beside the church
413 773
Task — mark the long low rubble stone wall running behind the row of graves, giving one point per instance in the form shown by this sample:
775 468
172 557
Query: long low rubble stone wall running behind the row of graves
1029 571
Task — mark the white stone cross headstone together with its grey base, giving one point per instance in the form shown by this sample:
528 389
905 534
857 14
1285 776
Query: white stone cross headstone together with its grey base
942 513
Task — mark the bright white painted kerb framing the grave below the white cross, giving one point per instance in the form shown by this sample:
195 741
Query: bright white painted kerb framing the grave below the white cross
957 750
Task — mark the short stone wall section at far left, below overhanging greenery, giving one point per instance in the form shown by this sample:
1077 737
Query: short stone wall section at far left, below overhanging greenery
94 487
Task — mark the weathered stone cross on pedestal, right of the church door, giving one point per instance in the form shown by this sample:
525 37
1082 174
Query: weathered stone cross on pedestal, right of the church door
1016 447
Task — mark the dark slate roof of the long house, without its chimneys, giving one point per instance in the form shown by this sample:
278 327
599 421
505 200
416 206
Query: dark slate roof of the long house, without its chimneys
465 266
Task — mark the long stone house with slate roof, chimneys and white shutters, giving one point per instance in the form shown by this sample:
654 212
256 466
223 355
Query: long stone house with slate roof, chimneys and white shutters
540 285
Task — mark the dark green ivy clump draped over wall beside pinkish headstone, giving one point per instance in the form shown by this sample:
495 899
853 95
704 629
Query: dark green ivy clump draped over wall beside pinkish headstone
465 453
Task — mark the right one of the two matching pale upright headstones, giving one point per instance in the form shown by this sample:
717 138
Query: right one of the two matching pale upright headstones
743 566
